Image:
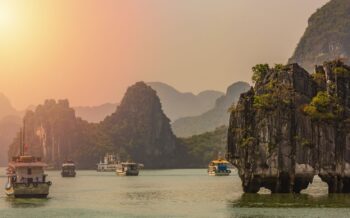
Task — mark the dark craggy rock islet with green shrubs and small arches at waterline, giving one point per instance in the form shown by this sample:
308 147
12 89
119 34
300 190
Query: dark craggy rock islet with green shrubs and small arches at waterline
292 126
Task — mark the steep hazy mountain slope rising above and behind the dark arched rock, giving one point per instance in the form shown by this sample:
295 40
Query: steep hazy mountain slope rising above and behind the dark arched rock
327 36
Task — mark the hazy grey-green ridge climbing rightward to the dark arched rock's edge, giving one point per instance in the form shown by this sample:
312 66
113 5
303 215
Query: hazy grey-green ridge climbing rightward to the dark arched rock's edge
213 118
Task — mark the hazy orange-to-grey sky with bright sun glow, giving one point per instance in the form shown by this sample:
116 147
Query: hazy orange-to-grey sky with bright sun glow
90 51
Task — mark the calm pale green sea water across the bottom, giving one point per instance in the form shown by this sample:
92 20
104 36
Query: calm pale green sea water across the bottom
169 193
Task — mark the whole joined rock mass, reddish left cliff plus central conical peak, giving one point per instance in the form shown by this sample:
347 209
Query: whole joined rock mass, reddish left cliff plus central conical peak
137 130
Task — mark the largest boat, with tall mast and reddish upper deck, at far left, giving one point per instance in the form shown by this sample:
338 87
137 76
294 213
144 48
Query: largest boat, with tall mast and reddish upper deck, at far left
26 177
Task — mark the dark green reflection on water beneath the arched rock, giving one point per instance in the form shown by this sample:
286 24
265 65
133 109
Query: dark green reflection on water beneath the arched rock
292 201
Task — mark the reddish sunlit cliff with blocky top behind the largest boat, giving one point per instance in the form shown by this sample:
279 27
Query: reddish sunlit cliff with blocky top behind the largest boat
54 133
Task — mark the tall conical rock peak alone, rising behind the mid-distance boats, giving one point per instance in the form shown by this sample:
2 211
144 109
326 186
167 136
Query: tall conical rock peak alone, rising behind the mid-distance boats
140 129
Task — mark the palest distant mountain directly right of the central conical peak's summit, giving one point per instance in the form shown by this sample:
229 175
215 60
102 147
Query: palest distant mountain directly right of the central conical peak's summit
178 104
